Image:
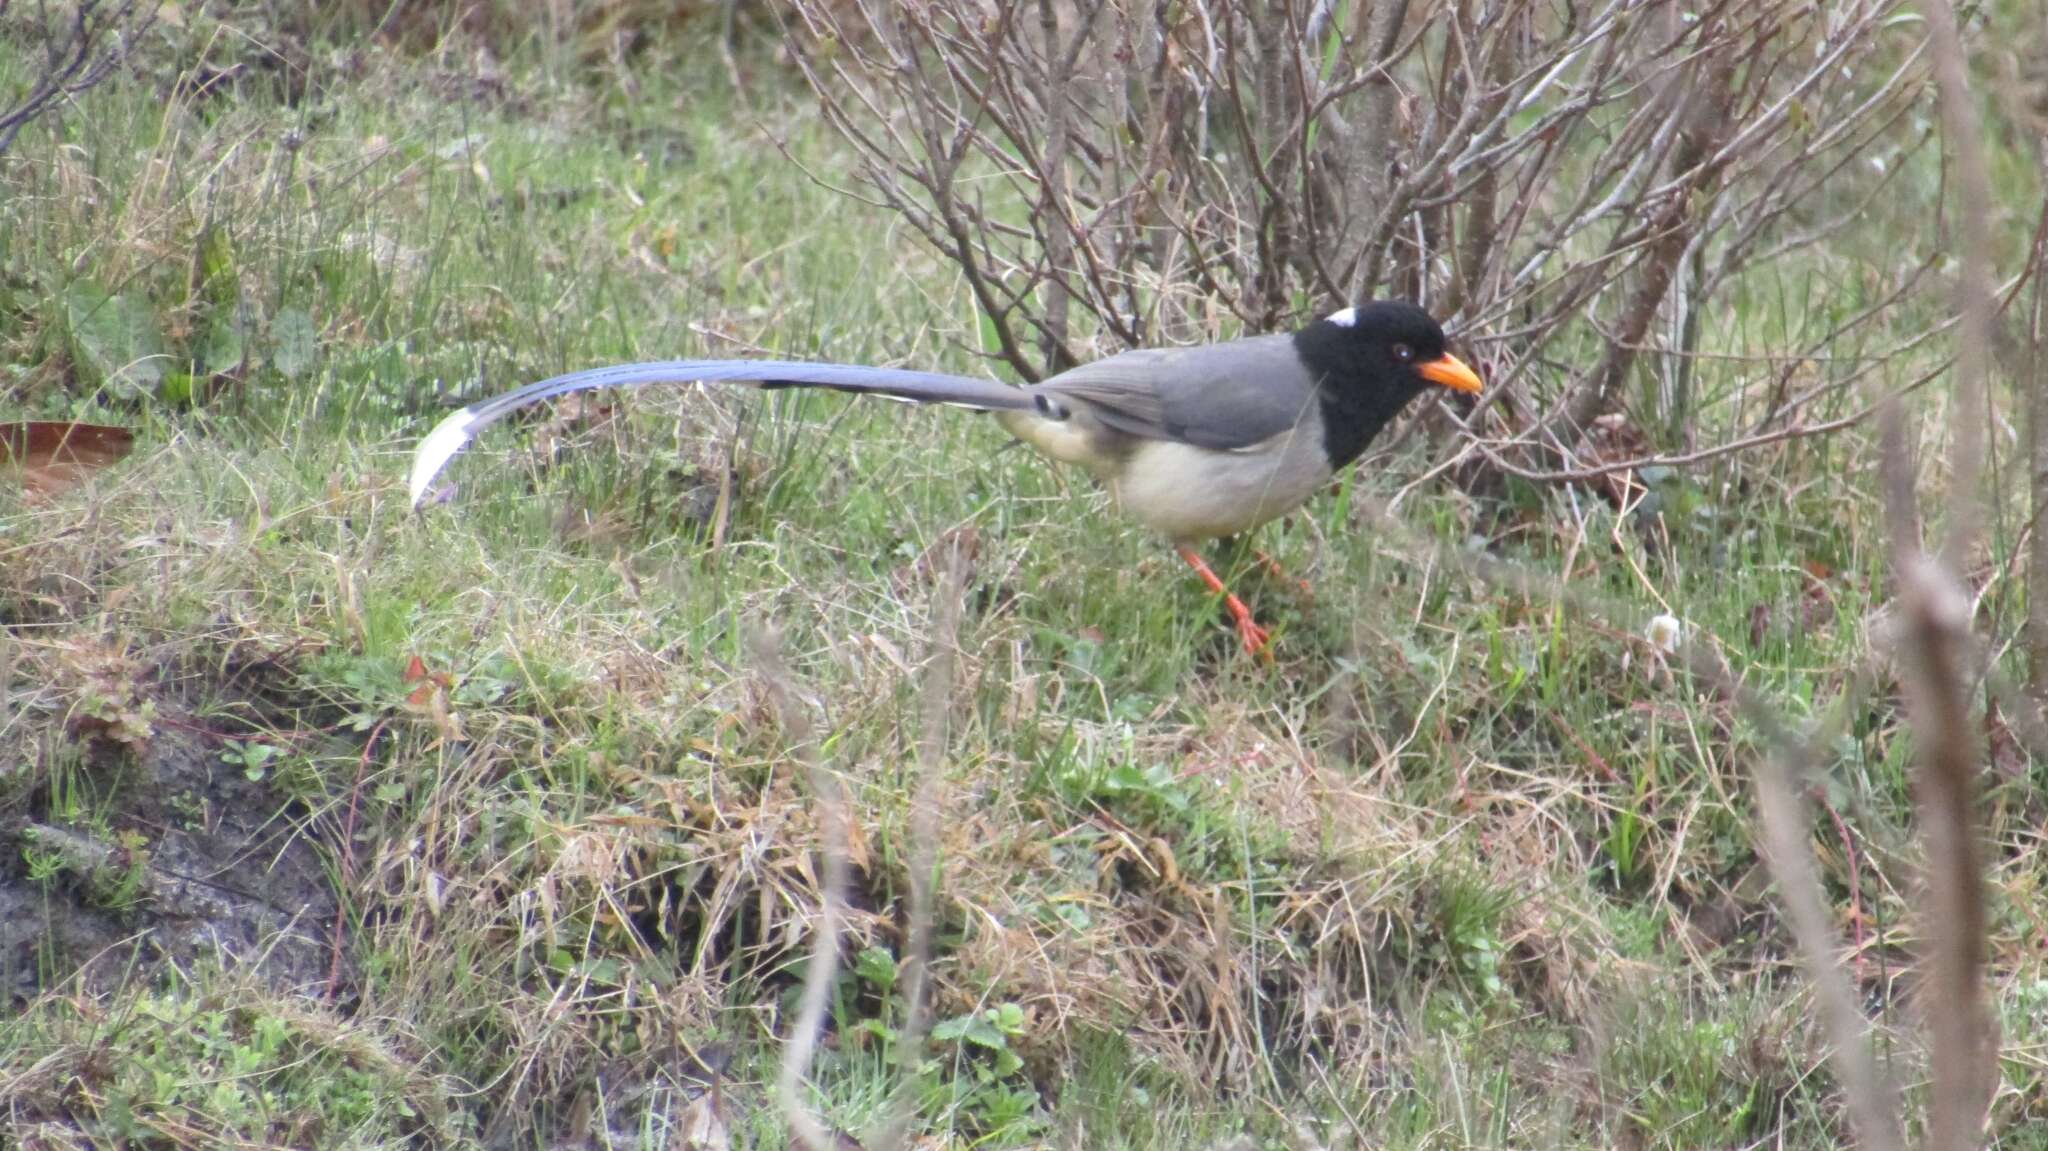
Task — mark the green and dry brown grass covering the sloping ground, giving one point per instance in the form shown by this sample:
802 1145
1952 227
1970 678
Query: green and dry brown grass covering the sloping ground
1463 869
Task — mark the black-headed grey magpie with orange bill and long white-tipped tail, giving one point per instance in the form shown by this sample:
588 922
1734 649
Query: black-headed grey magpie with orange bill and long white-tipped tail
1195 443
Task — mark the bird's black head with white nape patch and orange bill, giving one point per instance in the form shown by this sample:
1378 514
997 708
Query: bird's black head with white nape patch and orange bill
1369 361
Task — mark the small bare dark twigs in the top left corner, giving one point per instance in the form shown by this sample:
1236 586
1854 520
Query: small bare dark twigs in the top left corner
81 44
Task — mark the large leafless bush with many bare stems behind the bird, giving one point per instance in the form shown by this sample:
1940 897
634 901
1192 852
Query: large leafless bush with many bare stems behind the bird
1558 177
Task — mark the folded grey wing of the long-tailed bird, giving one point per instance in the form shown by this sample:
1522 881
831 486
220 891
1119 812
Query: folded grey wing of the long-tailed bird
1218 396
